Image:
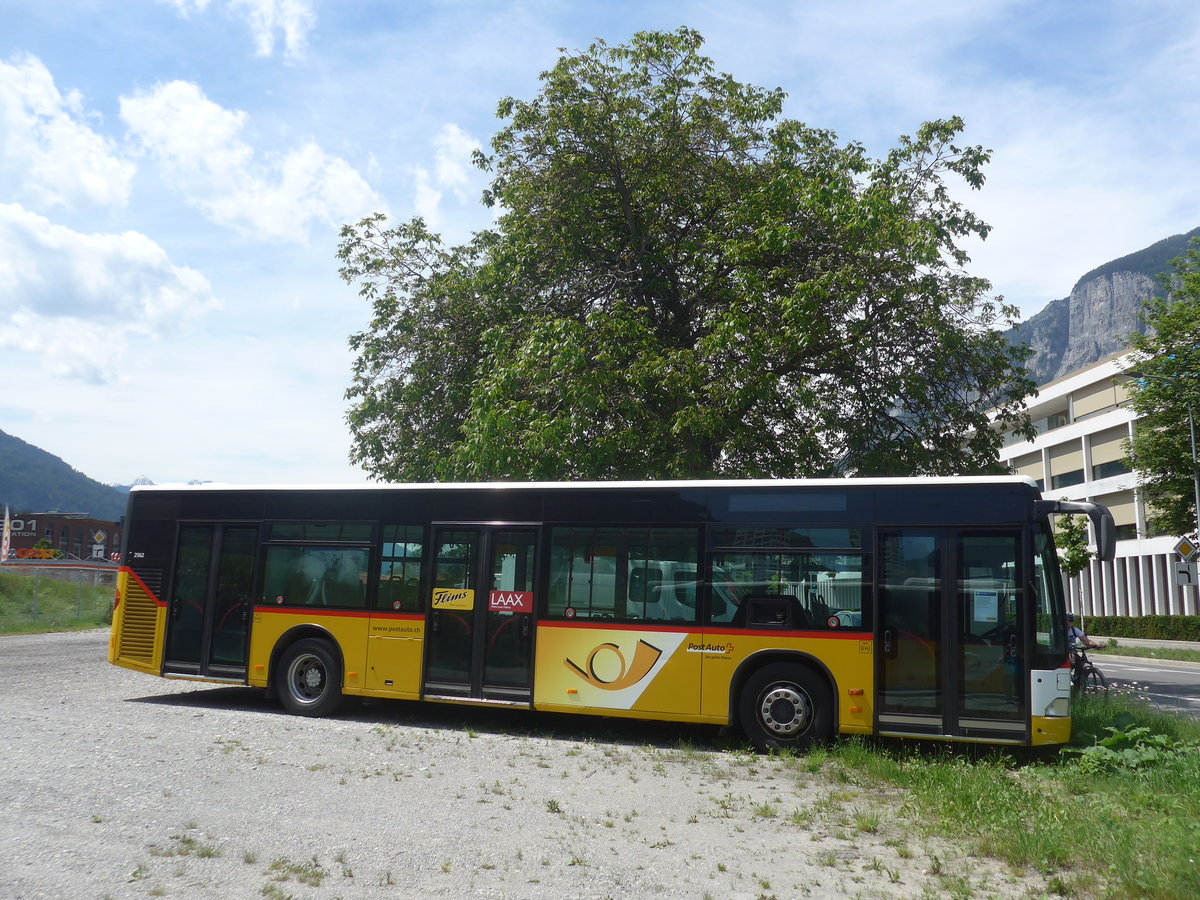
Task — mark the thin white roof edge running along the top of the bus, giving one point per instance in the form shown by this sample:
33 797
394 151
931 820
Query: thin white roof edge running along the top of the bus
607 485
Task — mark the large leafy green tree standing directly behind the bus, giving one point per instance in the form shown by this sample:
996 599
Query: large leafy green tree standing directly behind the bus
681 283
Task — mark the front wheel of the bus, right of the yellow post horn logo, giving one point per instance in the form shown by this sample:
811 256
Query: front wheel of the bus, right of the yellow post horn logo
785 706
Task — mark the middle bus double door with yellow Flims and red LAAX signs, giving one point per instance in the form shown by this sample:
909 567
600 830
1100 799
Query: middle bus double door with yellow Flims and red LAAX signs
479 638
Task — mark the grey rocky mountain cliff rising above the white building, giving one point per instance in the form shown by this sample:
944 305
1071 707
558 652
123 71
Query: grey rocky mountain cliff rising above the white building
1102 310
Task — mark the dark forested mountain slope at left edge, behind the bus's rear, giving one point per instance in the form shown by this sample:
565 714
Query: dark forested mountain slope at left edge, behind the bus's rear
33 481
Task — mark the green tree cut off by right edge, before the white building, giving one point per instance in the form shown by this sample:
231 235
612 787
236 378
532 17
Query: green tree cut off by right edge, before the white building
1169 362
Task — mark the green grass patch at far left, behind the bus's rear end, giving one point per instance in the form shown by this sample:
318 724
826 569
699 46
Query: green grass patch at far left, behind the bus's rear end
34 604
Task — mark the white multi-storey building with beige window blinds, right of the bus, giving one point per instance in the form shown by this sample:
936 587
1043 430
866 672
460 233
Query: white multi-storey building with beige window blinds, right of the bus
1083 421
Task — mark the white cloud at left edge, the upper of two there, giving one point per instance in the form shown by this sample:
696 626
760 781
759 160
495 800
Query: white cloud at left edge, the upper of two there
47 147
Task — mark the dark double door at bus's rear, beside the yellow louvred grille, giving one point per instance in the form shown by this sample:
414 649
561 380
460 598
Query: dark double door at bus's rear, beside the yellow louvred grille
212 593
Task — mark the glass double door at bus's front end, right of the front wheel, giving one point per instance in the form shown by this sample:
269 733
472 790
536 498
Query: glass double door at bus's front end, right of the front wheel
951 641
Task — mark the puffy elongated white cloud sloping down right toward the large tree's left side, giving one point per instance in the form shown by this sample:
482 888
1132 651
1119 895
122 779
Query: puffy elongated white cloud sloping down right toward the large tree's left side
200 146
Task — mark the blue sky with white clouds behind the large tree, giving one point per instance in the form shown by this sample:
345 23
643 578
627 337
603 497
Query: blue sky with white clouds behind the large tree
173 175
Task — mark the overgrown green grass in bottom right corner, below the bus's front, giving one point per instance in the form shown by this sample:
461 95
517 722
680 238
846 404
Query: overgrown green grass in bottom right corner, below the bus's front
1101 821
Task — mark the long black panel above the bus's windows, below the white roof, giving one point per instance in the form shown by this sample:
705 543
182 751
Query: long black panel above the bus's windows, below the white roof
899 502
